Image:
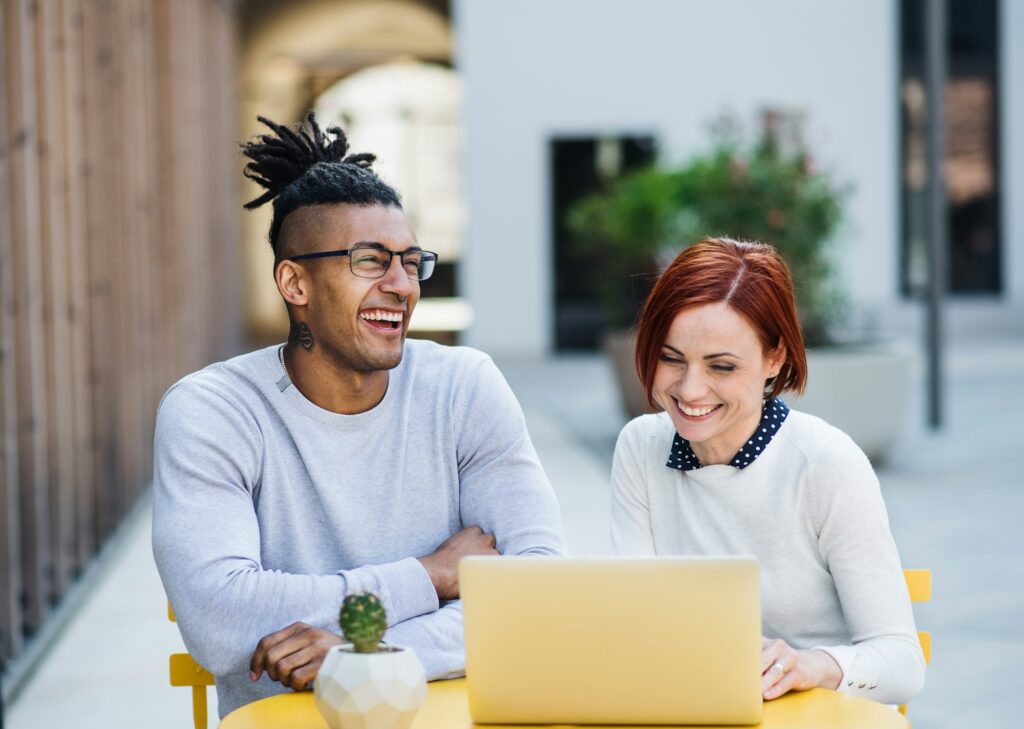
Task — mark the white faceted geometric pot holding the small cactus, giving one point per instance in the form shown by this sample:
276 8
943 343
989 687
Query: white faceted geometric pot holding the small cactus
381 691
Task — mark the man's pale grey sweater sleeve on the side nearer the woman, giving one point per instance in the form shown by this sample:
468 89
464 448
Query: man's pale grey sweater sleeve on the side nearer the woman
502 487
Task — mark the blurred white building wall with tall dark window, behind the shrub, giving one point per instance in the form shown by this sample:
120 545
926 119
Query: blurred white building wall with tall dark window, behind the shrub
656 73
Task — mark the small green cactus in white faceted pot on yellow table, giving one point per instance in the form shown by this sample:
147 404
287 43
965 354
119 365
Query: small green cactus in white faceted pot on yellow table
365 684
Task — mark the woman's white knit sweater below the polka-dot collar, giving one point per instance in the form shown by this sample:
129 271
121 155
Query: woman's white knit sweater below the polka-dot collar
810 509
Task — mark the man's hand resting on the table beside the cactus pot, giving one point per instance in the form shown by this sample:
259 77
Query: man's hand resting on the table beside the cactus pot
292 656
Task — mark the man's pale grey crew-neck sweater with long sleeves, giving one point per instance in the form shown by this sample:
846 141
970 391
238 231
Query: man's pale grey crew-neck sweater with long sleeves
270 510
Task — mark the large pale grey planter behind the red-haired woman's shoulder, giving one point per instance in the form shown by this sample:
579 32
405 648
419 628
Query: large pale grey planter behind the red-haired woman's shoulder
863 390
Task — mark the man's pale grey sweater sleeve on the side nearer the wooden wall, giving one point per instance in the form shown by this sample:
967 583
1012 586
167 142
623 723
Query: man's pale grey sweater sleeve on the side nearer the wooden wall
206 540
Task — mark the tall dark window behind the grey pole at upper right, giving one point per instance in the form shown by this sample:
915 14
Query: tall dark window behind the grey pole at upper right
972 169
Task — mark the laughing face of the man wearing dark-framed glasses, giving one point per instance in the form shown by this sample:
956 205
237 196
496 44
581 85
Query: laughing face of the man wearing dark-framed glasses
360 323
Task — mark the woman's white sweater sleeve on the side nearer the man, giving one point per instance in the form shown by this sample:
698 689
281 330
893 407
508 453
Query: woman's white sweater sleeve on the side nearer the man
631 531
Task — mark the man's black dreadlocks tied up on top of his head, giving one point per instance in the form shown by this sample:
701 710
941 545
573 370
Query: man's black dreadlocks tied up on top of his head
305 167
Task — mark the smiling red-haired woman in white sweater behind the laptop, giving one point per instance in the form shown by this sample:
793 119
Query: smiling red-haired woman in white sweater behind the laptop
728 468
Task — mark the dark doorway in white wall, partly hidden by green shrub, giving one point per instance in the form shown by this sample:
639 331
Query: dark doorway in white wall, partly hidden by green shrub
581 166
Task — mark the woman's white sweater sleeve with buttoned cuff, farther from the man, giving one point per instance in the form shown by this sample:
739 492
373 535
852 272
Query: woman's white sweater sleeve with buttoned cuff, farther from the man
885 662
